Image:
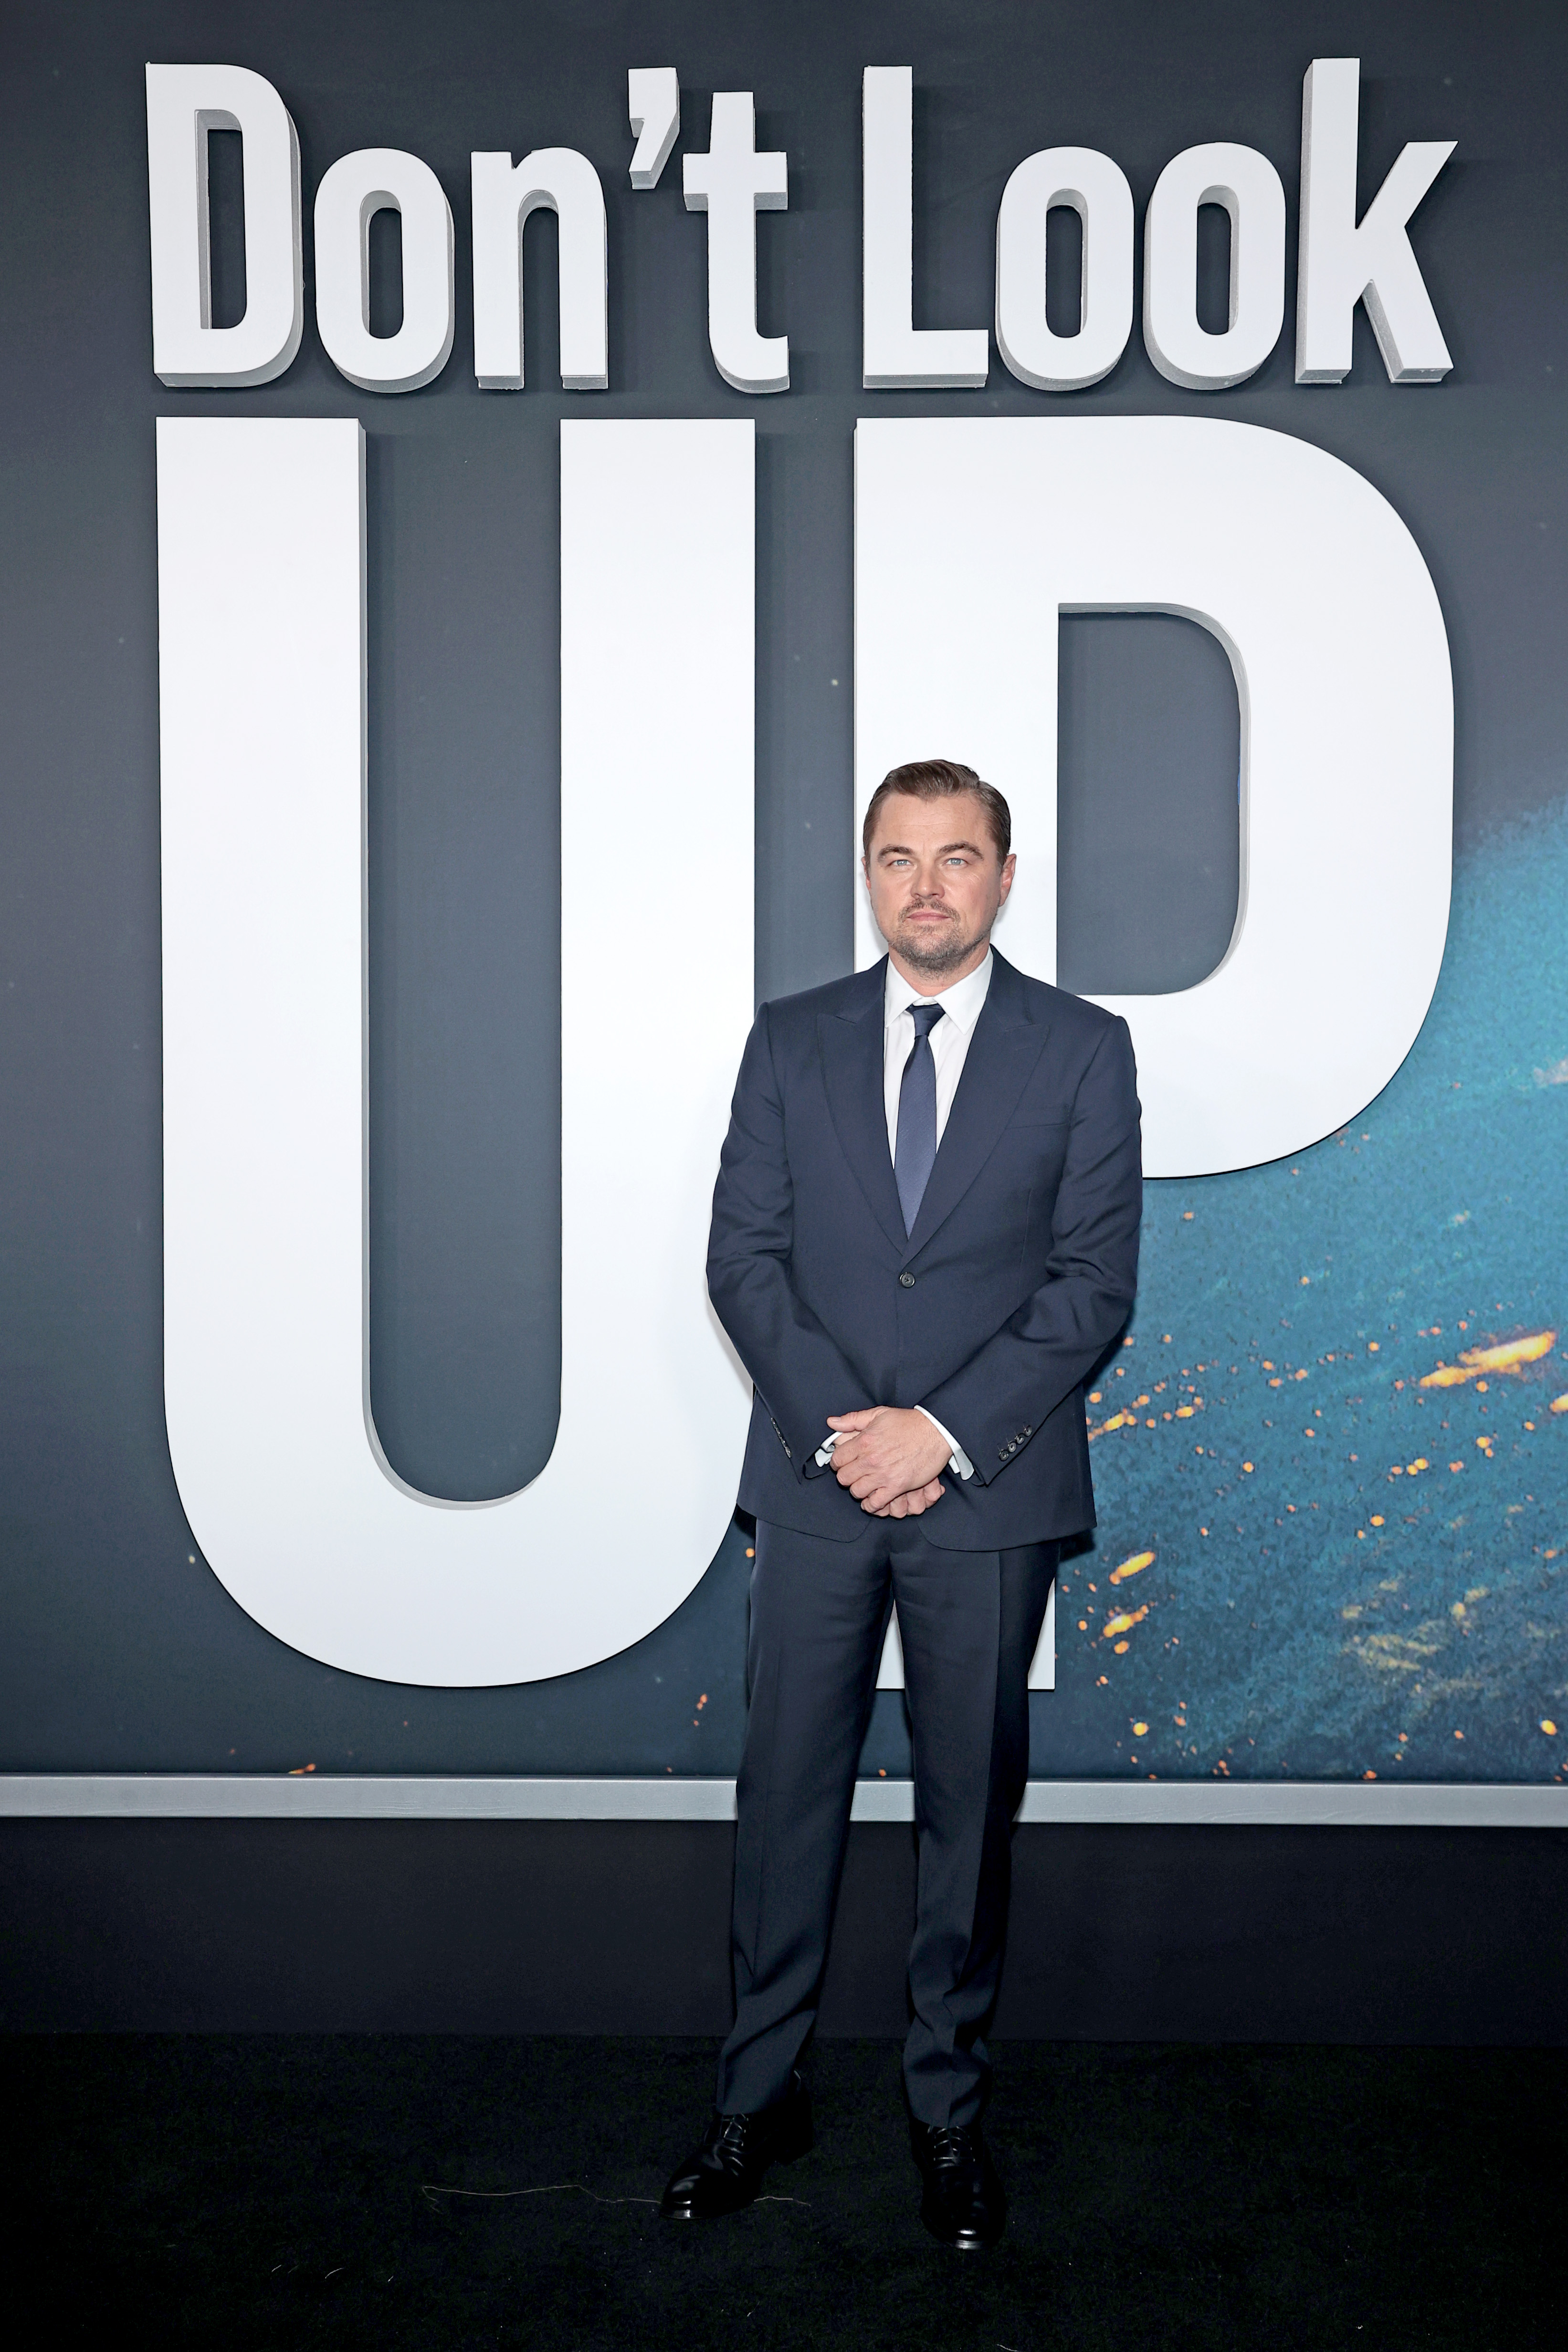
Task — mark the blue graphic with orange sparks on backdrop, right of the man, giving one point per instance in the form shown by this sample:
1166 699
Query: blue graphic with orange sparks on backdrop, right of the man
1339 1565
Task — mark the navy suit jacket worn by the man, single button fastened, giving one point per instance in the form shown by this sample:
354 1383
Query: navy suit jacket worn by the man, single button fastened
993 1314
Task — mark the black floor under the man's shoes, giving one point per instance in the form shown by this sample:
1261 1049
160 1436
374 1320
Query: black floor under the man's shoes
304 2191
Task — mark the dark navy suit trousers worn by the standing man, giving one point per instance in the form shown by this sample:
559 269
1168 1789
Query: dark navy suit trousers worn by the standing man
970 1624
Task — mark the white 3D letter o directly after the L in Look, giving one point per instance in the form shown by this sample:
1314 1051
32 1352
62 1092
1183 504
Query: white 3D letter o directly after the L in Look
1097 189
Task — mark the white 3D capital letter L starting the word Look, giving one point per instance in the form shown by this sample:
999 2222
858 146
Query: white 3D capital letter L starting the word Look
892 349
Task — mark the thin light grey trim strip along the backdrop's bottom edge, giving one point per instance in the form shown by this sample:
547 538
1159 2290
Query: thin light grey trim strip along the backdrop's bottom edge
438 1798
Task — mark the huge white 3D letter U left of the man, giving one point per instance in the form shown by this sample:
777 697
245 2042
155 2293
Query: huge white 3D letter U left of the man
264 1057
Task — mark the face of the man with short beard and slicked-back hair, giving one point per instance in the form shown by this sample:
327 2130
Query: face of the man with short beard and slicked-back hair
937 881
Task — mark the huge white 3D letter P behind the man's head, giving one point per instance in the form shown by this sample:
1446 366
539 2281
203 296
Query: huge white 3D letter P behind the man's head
1334 632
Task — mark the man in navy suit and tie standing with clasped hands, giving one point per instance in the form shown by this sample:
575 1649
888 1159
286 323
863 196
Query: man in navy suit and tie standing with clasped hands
925 1236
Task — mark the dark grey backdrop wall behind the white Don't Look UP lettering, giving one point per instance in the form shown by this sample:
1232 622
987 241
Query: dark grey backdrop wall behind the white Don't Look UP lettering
121 1650
